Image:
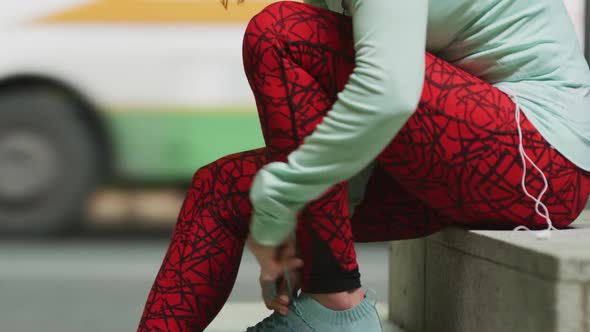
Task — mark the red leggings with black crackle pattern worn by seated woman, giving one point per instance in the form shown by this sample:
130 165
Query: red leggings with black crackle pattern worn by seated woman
456 161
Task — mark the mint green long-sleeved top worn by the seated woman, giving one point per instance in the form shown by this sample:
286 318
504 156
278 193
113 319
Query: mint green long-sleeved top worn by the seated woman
525 47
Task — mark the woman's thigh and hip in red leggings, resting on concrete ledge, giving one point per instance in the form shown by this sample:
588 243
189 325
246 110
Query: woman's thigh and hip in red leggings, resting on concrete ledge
459 155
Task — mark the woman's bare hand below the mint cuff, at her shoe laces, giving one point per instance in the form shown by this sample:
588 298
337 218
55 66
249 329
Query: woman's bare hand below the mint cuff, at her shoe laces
273 262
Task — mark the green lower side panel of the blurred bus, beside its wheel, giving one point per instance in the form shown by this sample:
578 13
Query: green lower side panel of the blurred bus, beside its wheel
171 146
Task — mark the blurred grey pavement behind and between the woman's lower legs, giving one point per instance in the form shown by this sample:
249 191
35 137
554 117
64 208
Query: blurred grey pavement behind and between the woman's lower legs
98 285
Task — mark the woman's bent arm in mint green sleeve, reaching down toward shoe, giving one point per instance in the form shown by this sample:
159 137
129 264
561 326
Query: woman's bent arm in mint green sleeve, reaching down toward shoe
382 93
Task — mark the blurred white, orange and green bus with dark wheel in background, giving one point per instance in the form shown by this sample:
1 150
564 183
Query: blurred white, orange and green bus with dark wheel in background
127 91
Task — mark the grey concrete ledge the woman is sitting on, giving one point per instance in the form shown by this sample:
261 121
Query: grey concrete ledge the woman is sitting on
460 280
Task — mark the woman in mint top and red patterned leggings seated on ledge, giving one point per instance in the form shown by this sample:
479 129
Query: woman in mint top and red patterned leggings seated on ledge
383 120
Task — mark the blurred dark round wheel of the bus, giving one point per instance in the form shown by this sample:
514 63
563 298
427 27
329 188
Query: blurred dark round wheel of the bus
48 162
